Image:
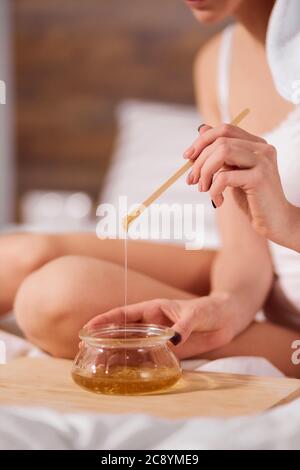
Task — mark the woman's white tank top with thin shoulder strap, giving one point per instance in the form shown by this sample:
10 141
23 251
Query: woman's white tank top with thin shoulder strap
286 139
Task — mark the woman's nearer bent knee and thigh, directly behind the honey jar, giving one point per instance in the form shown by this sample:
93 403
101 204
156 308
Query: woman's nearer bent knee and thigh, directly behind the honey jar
54 302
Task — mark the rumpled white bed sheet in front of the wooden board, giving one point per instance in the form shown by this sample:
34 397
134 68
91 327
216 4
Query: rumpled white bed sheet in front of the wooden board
22 428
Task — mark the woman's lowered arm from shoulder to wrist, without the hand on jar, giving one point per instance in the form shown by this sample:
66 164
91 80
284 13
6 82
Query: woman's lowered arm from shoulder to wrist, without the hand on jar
243 268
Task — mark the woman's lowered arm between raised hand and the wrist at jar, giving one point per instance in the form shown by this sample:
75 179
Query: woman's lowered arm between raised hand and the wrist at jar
243 267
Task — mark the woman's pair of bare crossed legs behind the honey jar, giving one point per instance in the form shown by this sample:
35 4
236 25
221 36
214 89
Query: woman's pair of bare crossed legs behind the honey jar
60 282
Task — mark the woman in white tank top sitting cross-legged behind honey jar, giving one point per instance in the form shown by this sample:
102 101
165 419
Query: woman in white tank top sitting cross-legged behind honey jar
57 283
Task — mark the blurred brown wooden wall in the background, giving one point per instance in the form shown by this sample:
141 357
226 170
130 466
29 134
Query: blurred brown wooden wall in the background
74 60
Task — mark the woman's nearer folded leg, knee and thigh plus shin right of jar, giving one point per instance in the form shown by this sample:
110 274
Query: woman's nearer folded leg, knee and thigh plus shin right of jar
54 302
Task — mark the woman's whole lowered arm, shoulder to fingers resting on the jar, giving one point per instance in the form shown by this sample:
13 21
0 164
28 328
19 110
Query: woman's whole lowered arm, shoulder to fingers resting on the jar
241 276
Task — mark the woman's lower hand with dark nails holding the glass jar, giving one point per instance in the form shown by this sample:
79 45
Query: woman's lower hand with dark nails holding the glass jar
216 319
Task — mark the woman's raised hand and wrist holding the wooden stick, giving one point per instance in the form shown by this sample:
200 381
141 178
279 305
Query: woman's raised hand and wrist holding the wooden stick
227 156
